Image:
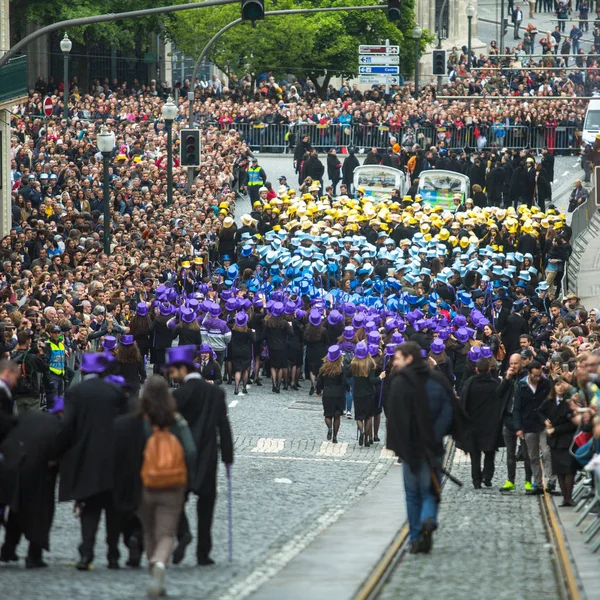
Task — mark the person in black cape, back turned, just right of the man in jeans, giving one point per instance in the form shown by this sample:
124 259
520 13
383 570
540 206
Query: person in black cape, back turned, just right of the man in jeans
478 399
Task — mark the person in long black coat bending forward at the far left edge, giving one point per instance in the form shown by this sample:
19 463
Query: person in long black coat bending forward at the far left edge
29 450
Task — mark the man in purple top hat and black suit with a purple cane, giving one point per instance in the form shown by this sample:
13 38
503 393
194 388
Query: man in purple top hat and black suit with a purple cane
203 406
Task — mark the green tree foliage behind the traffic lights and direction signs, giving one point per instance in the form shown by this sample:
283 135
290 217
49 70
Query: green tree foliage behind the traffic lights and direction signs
321 45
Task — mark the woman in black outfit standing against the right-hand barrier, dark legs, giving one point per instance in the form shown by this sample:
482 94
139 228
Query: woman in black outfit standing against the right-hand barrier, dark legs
560 430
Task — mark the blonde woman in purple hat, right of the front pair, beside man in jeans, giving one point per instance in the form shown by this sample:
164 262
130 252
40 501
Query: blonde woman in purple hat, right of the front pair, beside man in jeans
365 389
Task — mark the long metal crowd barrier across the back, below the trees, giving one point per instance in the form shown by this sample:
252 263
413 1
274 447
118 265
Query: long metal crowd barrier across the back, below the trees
282 138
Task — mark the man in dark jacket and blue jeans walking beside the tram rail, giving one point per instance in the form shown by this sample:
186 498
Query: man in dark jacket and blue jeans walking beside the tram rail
415 432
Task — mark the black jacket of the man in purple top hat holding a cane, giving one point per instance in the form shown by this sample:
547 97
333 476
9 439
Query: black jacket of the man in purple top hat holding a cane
203 407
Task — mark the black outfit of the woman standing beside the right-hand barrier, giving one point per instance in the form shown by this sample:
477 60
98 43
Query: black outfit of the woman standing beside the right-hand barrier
560 441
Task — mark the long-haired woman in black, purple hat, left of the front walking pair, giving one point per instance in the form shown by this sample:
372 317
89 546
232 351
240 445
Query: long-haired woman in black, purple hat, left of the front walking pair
332 384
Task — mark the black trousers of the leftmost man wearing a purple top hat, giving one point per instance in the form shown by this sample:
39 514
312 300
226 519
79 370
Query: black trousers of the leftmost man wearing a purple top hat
90 518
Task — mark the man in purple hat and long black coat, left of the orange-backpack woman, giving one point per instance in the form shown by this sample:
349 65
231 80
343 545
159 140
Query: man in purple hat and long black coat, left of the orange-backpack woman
86 473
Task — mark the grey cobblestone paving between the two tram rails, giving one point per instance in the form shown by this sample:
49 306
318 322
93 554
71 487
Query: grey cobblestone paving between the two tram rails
489 545
